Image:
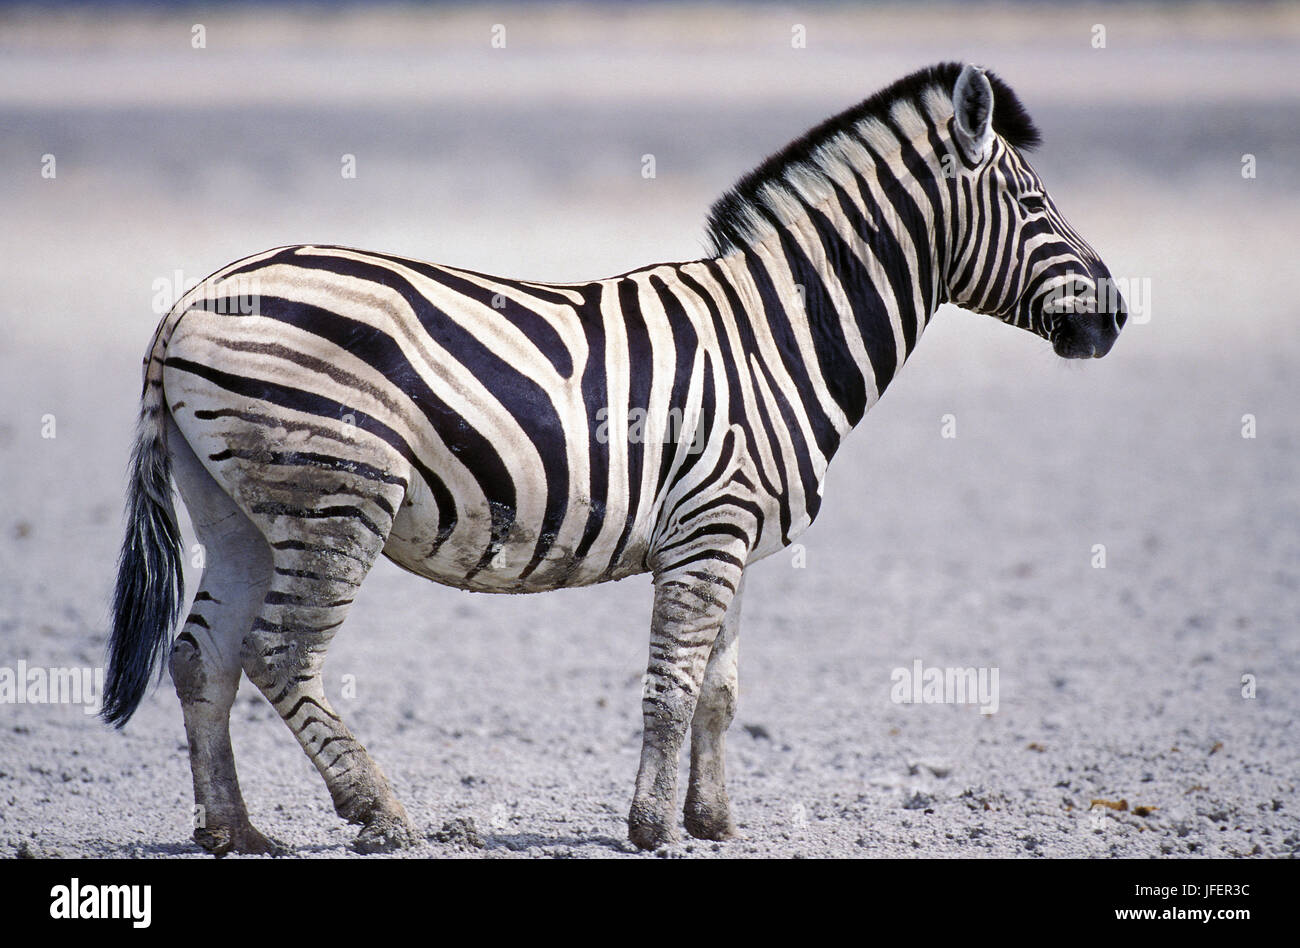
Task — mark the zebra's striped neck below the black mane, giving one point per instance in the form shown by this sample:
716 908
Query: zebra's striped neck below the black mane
844 259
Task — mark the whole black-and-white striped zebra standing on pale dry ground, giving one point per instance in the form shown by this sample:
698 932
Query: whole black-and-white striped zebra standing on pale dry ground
320 406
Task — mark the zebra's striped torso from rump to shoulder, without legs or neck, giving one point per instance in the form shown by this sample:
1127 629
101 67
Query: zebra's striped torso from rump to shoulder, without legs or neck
570 435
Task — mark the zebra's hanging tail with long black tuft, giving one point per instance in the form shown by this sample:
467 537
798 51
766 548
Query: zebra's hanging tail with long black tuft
150 572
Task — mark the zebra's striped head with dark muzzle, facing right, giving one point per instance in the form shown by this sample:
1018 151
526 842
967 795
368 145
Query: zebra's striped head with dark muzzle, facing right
1013 254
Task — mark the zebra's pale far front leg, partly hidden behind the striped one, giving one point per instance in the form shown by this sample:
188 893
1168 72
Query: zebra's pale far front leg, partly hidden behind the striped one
708 812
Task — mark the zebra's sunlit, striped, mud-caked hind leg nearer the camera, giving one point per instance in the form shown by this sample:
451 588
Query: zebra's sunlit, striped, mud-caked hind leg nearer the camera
320 557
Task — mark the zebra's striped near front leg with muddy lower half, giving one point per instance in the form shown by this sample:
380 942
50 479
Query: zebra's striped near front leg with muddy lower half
690 608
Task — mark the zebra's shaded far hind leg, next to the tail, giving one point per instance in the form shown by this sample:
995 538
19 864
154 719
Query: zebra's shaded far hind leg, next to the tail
206 657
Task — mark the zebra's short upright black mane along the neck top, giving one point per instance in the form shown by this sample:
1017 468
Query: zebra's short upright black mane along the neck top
725 228
